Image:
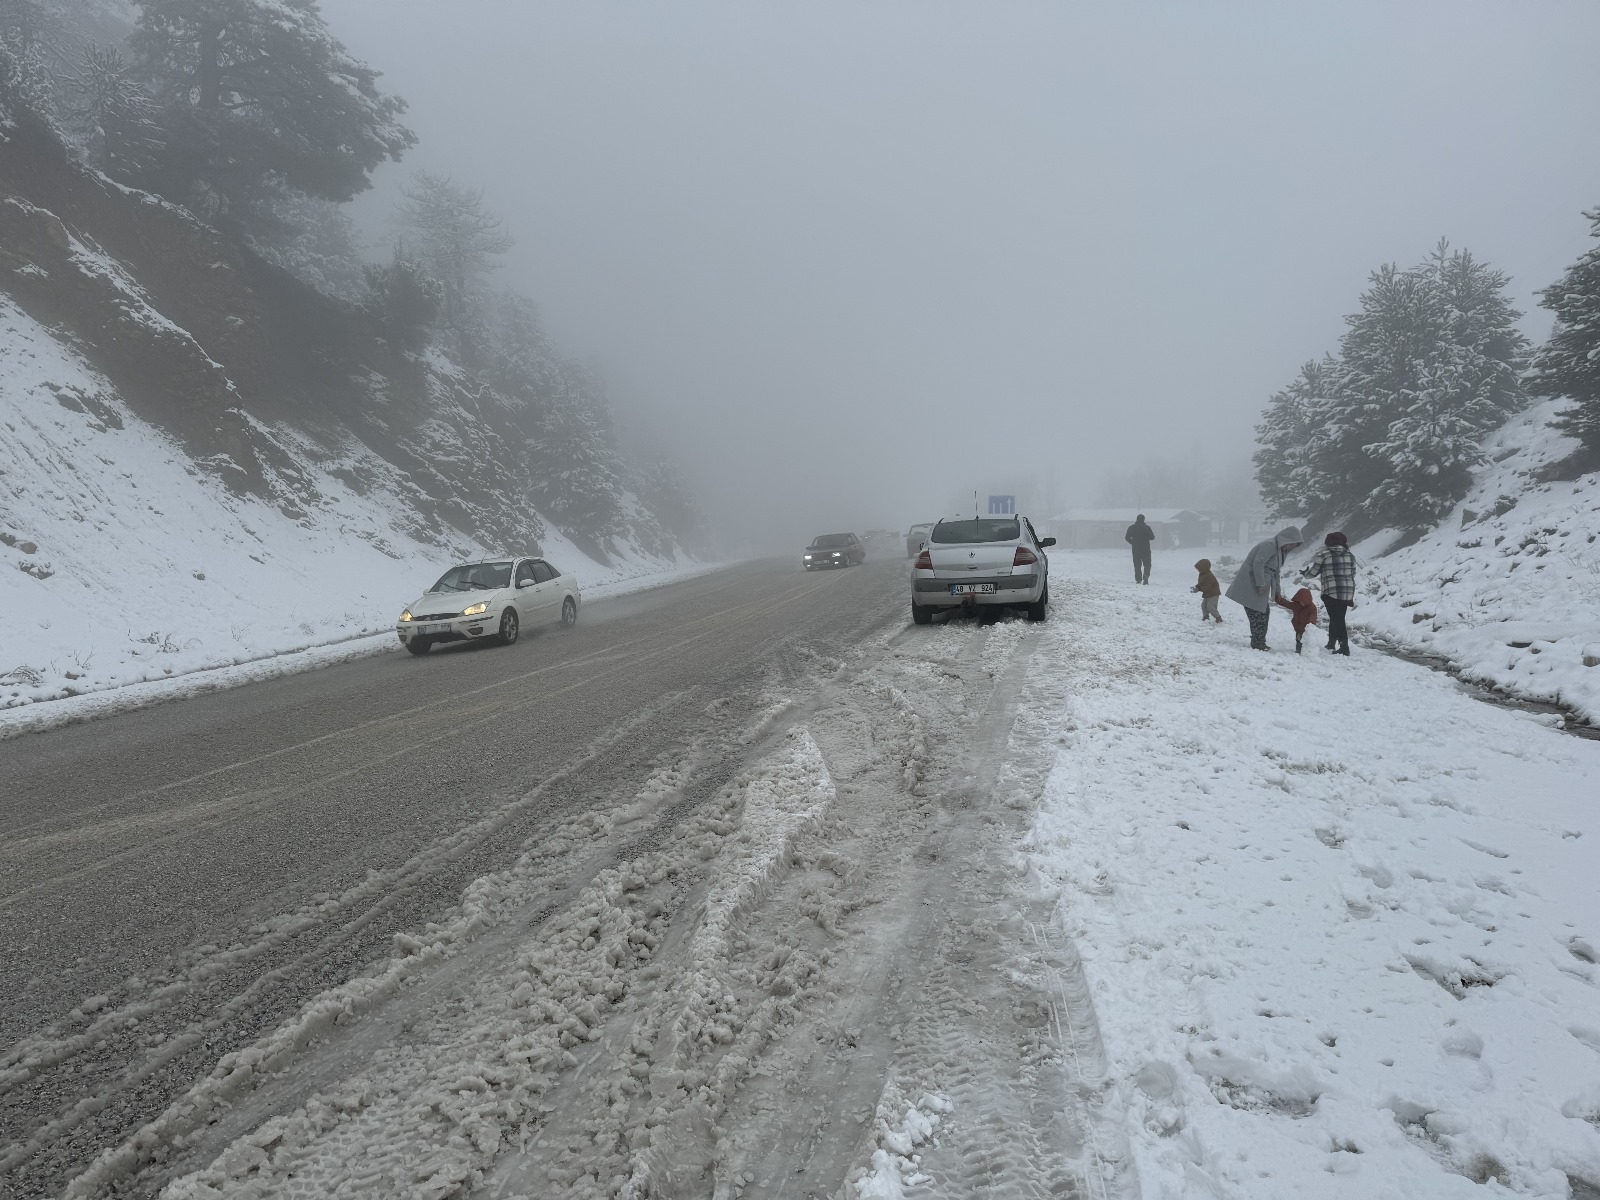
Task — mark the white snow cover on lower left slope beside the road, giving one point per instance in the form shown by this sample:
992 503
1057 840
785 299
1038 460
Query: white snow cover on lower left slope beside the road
122 562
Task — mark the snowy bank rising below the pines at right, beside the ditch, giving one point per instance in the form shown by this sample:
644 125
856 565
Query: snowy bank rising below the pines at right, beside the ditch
1508 590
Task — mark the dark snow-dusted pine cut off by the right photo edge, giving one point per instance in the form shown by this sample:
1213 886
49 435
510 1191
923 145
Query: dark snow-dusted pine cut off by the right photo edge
1569 364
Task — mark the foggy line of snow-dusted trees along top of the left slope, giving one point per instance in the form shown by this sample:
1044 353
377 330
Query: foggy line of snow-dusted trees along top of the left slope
257 119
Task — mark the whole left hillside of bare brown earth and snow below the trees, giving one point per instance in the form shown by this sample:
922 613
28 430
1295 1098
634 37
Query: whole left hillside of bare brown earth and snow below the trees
206 460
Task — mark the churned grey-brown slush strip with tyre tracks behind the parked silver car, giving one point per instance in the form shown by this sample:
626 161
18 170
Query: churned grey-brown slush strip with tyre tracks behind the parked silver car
761 983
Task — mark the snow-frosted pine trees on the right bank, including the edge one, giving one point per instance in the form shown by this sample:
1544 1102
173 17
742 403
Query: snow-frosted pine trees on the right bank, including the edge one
1390 431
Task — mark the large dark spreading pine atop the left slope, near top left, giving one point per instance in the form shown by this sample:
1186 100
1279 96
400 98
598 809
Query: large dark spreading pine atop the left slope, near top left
255 90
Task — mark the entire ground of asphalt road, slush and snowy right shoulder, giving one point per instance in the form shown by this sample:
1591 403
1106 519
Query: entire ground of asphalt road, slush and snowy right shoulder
751 889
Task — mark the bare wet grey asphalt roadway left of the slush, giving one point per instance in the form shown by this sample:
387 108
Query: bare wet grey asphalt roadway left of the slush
178 879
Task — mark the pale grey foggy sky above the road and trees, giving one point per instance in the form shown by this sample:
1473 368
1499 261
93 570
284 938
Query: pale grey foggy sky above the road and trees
849 262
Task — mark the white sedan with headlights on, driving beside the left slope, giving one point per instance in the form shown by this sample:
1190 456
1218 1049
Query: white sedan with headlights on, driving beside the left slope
489 599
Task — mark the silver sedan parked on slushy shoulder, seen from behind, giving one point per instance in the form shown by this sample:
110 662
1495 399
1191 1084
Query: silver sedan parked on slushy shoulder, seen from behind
986 562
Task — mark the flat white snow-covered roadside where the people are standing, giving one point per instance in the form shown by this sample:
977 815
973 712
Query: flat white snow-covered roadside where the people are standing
1338 918
